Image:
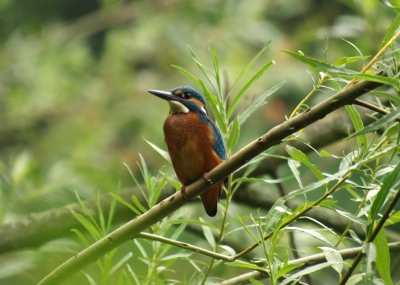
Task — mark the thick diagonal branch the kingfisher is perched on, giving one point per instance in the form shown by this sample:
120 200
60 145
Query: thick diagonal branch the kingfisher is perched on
175 201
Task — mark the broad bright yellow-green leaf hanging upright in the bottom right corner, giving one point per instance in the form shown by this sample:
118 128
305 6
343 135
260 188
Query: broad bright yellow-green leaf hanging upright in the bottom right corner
383 257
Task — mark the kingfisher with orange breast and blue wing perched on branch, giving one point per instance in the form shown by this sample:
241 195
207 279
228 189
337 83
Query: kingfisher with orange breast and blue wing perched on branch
193 140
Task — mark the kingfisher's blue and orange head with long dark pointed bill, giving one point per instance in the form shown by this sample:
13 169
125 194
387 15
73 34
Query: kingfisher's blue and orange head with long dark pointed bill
183 99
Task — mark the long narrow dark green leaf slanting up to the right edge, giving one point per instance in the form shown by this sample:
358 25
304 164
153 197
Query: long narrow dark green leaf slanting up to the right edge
381 197
